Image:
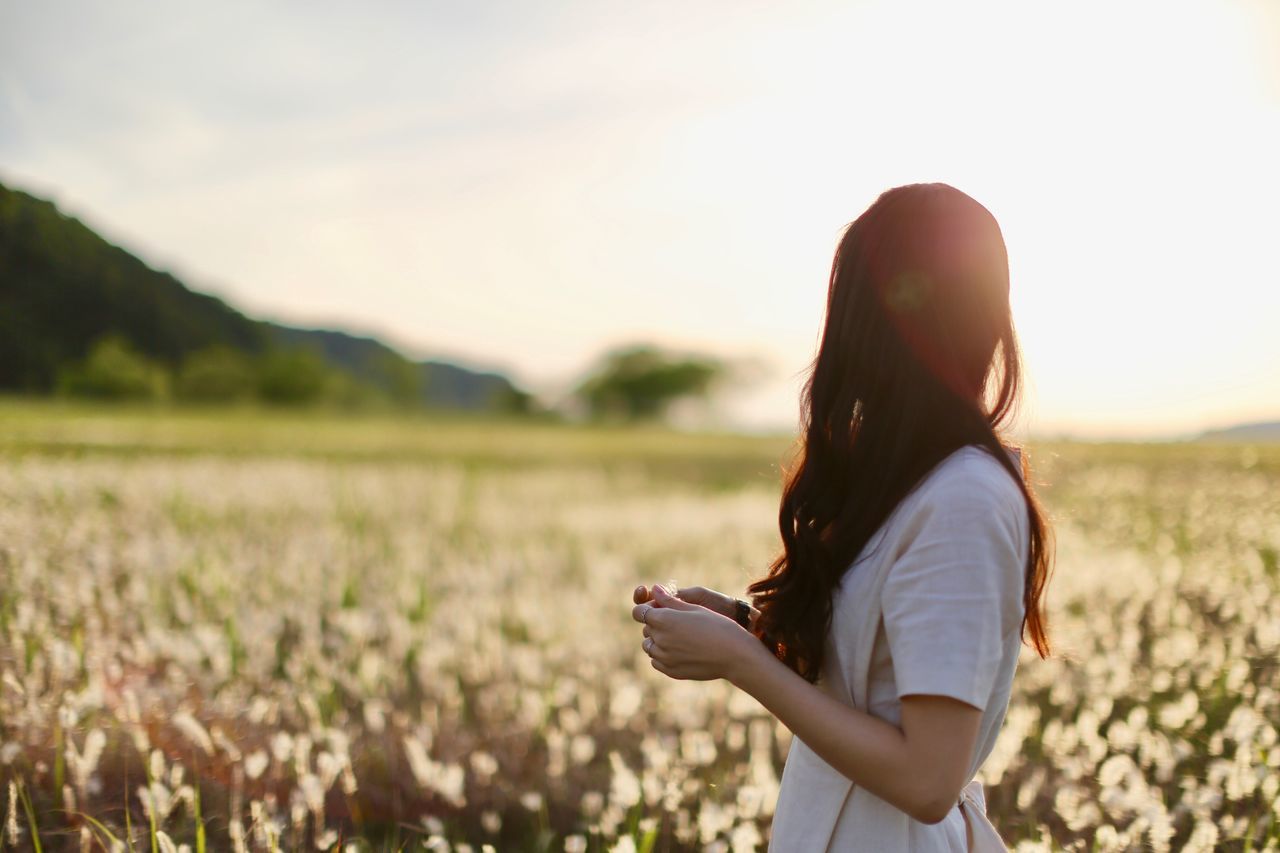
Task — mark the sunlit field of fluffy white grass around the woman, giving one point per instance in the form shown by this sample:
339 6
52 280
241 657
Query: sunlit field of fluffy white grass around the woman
277 632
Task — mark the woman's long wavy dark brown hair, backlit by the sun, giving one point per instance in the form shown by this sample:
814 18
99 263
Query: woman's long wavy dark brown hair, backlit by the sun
918 359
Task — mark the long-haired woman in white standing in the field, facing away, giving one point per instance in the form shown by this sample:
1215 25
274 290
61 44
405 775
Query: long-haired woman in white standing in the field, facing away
916 555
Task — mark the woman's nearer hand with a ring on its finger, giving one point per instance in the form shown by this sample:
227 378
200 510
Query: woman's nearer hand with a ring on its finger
688 641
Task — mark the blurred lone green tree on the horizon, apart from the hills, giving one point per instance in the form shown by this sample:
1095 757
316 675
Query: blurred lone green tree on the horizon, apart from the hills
642 382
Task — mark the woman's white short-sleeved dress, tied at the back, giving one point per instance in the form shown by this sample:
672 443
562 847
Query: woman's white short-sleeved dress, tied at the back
944 581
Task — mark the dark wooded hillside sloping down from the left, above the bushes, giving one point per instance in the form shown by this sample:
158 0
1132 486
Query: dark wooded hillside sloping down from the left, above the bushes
63 288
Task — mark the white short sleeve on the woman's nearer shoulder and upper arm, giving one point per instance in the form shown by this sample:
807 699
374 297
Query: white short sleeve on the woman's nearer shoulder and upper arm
956 590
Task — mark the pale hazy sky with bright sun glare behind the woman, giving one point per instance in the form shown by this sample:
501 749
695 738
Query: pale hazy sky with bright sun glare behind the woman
524 186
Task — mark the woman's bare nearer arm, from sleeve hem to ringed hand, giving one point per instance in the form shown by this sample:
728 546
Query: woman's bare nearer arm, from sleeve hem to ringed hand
918 768
